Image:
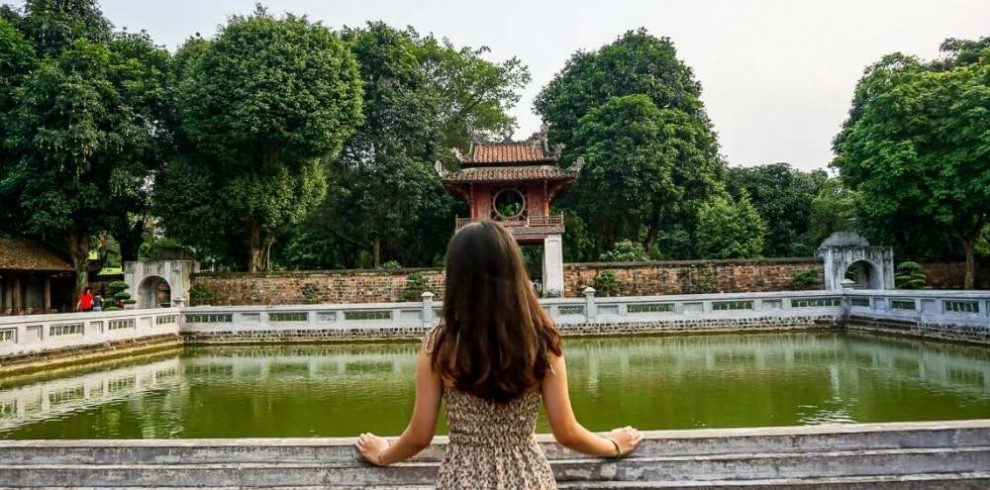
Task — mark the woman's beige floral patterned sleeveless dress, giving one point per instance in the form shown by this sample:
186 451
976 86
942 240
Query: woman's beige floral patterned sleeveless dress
492 446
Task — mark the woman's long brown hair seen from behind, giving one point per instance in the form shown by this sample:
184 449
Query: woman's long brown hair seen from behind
495 337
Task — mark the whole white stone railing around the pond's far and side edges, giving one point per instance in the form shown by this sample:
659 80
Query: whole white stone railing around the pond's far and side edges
954 315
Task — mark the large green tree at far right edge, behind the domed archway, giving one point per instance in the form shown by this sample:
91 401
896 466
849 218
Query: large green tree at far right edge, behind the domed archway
915 145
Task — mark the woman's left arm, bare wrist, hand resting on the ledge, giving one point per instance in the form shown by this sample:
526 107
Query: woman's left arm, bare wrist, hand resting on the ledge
422 425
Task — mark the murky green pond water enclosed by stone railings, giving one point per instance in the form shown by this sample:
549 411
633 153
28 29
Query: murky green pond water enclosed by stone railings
672 382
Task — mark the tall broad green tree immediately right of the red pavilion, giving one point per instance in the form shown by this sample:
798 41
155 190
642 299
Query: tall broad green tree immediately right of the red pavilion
637 64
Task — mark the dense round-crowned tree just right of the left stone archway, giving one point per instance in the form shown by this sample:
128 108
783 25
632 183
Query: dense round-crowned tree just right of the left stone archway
262 109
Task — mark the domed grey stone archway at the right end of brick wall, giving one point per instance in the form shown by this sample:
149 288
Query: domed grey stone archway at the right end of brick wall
844 251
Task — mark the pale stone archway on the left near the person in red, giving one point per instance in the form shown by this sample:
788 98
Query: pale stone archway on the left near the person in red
146 278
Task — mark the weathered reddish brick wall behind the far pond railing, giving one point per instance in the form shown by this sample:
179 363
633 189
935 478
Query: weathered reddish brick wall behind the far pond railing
650 278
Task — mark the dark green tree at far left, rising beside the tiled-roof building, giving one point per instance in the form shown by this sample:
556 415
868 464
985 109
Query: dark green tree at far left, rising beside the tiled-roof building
83 139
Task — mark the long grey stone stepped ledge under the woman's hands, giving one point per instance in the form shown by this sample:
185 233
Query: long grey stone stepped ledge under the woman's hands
905 455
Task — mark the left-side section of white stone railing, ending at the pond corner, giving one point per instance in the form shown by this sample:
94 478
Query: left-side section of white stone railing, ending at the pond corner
34 334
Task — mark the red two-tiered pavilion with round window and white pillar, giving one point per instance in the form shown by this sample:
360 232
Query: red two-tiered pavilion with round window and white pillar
514 183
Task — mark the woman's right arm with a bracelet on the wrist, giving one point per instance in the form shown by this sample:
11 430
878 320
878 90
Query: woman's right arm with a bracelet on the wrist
567 430
